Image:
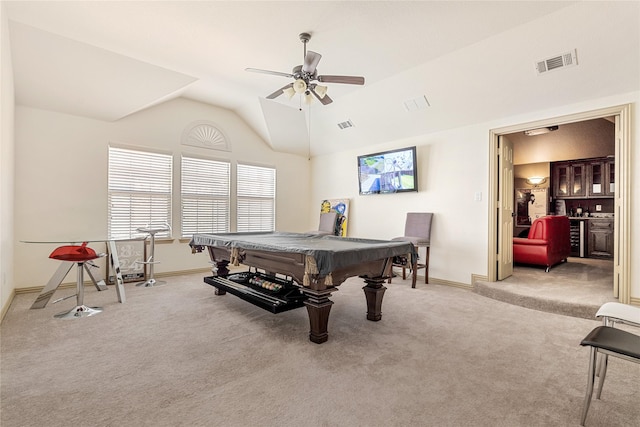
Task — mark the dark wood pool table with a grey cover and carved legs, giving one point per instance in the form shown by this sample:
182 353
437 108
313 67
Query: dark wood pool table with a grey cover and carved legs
316 264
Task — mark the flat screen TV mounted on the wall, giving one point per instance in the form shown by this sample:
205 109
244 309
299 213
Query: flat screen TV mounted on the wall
393 171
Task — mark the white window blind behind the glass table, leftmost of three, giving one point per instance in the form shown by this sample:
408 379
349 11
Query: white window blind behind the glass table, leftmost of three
139 191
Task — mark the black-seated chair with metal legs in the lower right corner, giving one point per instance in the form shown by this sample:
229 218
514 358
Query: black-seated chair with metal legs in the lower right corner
607 341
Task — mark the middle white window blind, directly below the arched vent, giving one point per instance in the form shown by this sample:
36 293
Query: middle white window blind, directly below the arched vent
205 196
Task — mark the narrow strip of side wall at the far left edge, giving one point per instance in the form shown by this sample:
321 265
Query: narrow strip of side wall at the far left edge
6 165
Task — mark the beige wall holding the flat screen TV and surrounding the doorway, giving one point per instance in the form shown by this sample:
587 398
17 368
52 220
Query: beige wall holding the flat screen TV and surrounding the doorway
453 171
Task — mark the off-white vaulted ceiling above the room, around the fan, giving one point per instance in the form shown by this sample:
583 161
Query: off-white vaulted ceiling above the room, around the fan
471 61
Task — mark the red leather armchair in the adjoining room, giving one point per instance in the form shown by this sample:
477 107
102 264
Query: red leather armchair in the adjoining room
548 242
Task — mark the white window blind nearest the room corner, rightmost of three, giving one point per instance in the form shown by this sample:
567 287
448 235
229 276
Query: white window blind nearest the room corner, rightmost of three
256 196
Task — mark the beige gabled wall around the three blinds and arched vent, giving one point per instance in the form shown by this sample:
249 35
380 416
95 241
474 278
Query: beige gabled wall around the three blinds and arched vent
61 178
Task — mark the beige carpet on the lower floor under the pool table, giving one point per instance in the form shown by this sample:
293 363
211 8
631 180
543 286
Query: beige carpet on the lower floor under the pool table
179 355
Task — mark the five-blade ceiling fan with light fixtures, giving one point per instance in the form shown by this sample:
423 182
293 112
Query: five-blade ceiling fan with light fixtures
305 77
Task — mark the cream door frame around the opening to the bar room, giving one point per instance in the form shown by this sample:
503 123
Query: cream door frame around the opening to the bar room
622 200
